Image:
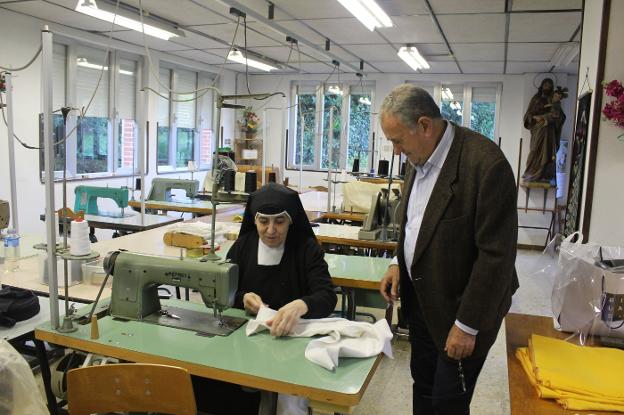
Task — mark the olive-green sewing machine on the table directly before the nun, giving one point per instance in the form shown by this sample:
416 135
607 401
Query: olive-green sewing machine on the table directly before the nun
136 278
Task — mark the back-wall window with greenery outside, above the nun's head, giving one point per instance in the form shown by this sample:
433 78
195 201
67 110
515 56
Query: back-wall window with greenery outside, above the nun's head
330 121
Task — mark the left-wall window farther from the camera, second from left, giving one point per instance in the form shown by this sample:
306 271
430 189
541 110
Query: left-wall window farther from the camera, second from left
184 124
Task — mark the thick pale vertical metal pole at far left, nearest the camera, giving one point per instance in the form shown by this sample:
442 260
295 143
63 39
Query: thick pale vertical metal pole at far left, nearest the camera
48 140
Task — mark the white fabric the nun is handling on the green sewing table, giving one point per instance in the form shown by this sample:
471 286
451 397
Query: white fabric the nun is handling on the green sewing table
344 338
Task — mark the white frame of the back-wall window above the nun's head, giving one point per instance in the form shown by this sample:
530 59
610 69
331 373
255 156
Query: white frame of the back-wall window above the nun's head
320 88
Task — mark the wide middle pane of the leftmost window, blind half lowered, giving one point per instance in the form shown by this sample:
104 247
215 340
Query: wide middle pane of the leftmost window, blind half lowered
92 133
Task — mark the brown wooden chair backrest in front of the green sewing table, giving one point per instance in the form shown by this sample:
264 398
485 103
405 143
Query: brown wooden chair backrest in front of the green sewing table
130 387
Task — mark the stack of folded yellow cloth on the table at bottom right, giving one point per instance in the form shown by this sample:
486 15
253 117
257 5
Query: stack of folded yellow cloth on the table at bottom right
577 377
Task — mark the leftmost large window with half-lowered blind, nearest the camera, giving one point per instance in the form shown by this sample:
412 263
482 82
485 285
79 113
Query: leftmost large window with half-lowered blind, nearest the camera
104 84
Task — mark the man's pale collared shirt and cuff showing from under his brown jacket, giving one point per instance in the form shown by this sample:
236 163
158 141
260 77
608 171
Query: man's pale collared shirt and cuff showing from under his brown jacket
425 179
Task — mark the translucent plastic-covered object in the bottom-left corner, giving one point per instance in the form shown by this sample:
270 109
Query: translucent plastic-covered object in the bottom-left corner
19 394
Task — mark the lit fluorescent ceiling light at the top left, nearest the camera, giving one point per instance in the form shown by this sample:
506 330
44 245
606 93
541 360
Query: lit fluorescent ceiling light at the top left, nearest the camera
106 13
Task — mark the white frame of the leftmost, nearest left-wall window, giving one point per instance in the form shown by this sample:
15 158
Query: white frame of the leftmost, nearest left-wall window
70 94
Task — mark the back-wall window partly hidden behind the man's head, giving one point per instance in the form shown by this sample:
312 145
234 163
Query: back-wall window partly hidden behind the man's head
482 113
